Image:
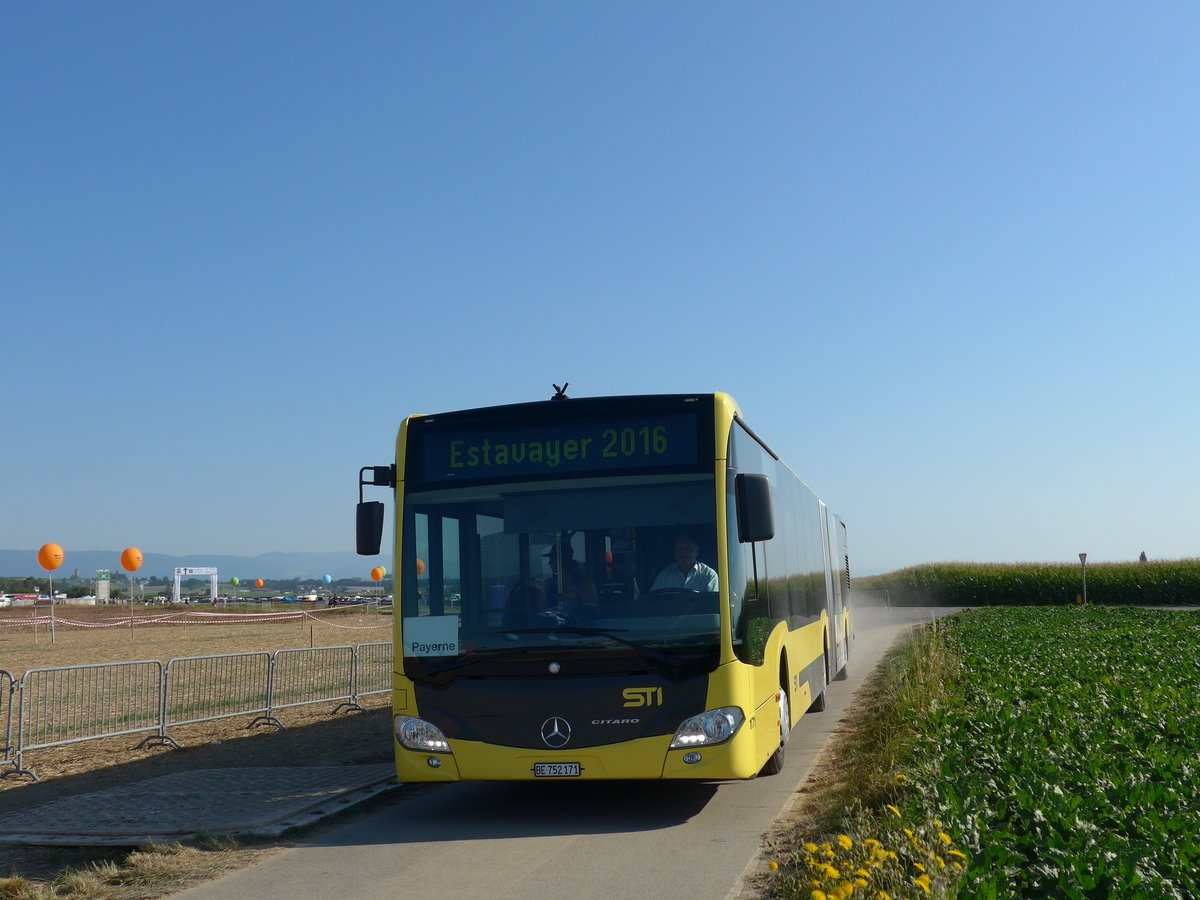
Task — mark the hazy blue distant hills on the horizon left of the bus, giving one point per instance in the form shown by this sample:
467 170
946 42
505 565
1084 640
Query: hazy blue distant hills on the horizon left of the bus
21 563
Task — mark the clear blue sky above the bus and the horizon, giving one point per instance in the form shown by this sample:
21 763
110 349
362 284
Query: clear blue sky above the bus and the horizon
943 254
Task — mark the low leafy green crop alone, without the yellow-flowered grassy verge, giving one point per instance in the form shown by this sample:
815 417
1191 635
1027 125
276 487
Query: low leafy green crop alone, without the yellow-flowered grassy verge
1066 758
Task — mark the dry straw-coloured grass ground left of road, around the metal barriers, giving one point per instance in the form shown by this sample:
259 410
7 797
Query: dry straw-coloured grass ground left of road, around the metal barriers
315 736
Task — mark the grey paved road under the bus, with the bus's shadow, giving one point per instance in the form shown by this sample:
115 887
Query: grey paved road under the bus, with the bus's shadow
563 842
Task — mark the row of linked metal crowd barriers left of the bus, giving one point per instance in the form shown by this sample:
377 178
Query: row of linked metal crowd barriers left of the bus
74 704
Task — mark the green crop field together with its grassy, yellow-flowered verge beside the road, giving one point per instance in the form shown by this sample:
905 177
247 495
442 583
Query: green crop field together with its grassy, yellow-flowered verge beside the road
1054 754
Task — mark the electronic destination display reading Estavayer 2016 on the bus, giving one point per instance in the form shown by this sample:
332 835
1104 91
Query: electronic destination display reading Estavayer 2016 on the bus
601 445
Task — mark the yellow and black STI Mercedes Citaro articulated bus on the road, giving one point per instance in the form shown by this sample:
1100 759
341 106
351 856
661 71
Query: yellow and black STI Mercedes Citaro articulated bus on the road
604 589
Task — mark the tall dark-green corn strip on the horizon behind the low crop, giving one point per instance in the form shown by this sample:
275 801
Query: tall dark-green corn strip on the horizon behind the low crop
1159 584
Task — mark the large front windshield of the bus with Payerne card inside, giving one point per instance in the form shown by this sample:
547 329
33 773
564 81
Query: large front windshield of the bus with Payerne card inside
619 569
